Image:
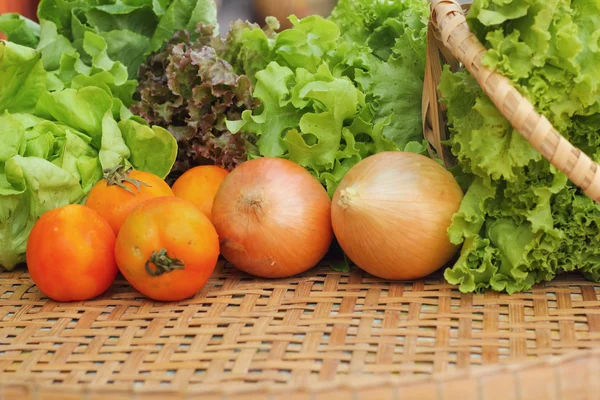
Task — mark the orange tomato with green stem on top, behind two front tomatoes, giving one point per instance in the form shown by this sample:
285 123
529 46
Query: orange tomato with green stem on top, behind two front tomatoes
121 190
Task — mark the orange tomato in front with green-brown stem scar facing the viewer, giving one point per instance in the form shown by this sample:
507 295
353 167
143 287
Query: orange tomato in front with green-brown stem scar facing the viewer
167 249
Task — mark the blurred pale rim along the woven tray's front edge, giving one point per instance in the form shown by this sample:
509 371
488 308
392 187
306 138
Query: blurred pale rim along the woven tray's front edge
474 375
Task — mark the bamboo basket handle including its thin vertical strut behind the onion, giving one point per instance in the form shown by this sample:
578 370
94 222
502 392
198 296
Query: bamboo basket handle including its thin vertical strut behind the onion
450 35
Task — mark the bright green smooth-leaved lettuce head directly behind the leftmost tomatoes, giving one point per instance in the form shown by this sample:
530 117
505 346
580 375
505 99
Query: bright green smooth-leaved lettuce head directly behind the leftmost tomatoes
56 144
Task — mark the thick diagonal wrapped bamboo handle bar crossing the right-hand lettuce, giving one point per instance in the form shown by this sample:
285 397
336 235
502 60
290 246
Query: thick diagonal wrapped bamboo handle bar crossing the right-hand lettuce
448 19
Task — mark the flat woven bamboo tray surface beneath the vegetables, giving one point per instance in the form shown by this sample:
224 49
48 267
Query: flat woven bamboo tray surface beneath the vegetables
320 329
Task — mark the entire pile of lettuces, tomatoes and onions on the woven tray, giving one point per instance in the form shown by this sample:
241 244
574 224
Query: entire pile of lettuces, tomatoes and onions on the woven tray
264 145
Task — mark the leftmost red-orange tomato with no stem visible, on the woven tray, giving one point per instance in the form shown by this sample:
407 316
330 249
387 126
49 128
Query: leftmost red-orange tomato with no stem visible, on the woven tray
70 254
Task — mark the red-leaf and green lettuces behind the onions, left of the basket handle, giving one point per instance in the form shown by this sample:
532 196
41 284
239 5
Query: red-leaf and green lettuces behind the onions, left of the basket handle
324 94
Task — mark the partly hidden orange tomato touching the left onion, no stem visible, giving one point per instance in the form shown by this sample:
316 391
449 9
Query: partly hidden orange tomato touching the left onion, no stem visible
200 185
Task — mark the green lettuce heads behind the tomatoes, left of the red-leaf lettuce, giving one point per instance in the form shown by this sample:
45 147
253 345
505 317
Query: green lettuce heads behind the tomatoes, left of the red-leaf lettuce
64 98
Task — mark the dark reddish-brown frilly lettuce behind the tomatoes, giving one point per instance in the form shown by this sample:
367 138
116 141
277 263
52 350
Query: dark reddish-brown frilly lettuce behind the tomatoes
190 90
